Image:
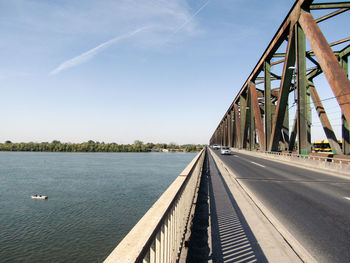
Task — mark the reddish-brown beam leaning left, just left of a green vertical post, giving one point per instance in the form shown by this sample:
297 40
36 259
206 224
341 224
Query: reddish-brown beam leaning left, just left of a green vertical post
257 115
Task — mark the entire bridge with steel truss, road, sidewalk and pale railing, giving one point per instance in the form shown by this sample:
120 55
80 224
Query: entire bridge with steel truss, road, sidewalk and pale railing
272 199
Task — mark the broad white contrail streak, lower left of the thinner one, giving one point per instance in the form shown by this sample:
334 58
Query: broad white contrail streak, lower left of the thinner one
94 51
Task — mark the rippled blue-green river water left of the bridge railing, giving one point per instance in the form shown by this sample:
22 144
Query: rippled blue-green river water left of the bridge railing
94 200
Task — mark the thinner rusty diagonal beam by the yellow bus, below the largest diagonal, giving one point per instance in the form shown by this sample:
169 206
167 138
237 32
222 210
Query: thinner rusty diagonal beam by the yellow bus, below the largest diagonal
321 112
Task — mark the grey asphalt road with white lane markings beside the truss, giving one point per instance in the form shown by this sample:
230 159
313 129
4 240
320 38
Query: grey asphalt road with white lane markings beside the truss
314 207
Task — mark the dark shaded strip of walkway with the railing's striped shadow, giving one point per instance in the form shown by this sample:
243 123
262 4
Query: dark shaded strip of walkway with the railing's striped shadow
219 232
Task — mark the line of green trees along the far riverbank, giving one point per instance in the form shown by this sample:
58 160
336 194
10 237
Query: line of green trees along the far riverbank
92 146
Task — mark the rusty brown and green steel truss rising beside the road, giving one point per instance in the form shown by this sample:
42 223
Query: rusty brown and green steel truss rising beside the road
265 112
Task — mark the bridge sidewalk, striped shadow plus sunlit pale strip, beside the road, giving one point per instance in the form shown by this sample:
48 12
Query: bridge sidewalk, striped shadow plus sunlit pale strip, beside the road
241 231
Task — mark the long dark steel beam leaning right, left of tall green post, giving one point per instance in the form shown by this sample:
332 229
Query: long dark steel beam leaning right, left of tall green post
284 92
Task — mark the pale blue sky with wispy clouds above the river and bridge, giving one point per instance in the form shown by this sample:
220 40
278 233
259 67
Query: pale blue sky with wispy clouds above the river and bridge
125 70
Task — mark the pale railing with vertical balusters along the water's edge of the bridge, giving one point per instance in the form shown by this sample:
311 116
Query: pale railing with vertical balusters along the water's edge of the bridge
159 234
